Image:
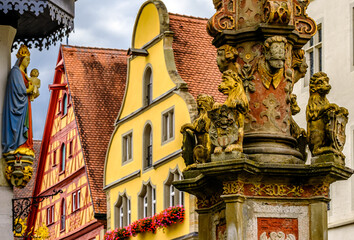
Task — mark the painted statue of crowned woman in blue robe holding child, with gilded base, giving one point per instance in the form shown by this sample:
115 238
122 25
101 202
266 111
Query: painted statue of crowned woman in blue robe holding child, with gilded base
17 142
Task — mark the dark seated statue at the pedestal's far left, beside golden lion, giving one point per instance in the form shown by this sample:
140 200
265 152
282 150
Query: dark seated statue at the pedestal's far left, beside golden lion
196 141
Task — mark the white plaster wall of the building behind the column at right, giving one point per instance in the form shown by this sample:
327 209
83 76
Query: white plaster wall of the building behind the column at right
337 44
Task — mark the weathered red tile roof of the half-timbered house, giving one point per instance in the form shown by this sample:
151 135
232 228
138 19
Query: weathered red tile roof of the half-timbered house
96 79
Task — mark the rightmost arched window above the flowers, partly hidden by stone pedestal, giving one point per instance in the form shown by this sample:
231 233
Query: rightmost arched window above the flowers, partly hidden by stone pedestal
172 196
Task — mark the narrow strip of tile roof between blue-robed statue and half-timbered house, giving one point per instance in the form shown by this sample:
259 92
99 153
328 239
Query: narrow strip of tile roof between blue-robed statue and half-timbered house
28 190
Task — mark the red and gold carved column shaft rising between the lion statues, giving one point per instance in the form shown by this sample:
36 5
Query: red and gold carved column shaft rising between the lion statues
265 34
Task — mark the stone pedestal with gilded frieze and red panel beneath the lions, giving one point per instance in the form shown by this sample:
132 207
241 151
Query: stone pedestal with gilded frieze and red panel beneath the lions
245 200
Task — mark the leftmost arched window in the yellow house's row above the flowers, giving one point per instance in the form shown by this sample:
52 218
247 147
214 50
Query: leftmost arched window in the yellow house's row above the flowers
122 211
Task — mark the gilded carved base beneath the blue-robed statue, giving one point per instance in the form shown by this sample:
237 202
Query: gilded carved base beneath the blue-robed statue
18 169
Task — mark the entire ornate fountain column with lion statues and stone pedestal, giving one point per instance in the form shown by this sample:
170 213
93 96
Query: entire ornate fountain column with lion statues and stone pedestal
247 165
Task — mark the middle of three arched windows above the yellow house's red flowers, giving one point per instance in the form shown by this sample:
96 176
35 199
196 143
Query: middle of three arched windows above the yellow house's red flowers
147 201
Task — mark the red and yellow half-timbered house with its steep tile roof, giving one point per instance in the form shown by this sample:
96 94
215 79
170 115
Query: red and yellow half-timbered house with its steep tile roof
86 94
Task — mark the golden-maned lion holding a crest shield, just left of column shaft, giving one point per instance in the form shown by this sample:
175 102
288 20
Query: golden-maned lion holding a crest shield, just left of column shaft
227 119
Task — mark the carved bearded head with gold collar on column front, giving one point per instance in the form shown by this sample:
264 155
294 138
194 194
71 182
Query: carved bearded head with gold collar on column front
272 67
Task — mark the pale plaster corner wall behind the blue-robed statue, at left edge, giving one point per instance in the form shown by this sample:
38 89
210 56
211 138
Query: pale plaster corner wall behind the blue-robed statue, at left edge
7 35
